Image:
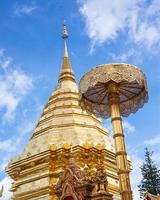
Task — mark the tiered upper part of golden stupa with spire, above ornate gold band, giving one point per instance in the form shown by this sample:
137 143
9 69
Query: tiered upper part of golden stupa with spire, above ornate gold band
63 120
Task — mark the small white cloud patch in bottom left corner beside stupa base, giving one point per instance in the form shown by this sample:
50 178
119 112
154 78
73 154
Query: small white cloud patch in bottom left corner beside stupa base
6 183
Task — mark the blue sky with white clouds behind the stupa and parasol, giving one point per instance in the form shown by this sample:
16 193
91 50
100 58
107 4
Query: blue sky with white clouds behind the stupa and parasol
103 31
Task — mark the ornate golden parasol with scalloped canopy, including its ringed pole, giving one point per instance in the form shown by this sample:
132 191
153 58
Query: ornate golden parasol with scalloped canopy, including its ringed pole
115 90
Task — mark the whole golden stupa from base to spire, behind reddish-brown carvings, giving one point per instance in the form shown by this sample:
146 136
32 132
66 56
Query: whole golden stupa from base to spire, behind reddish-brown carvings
64 131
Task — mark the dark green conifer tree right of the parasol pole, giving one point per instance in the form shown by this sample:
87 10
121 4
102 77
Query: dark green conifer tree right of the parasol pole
150 176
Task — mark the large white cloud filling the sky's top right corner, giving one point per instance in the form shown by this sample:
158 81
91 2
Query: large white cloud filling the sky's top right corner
105 20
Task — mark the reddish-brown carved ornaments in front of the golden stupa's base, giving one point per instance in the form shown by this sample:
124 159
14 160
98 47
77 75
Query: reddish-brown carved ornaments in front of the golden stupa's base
75 183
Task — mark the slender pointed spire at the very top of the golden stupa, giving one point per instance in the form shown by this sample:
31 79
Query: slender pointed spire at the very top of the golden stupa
66 70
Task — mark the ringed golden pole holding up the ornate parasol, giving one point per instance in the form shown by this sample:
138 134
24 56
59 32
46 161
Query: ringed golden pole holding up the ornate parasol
121 155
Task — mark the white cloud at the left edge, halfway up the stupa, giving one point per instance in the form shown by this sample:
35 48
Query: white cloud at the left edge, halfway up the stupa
14 86
